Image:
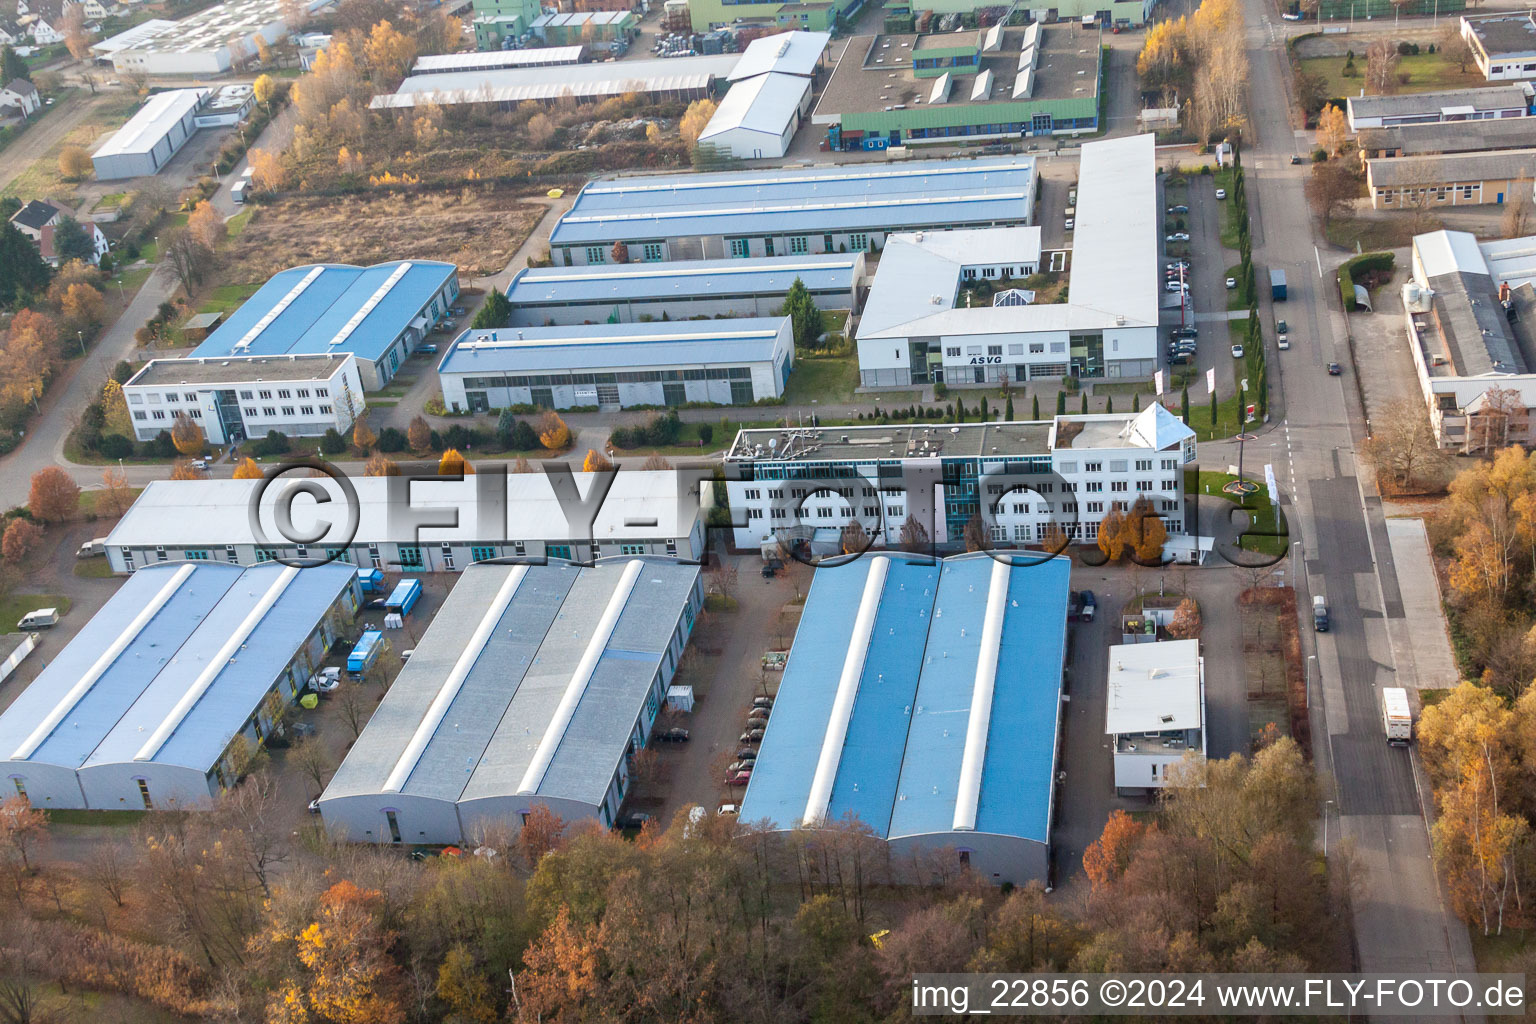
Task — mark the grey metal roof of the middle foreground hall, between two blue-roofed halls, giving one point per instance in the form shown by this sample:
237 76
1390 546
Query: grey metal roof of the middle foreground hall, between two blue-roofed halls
508 702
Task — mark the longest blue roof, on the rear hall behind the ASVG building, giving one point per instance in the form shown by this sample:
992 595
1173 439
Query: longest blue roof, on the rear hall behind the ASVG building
939 194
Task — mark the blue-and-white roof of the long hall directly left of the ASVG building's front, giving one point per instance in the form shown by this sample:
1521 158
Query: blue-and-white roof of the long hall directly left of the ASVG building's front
598 346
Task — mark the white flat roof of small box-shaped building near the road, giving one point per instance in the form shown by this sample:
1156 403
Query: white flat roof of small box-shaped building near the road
1154 689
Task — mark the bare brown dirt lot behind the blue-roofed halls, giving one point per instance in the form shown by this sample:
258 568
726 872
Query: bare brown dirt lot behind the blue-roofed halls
475 228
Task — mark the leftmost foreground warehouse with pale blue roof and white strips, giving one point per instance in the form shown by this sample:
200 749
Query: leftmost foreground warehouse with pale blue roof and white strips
141 710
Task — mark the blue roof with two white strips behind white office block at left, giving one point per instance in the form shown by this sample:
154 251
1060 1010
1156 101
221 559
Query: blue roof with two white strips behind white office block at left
325 306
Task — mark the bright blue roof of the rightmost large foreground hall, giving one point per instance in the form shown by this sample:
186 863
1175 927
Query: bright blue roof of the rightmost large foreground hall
899 768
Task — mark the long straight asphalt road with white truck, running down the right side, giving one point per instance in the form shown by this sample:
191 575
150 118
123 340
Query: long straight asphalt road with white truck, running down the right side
1402 920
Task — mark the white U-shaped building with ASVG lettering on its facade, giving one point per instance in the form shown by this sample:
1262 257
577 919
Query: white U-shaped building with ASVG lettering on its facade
927 320
